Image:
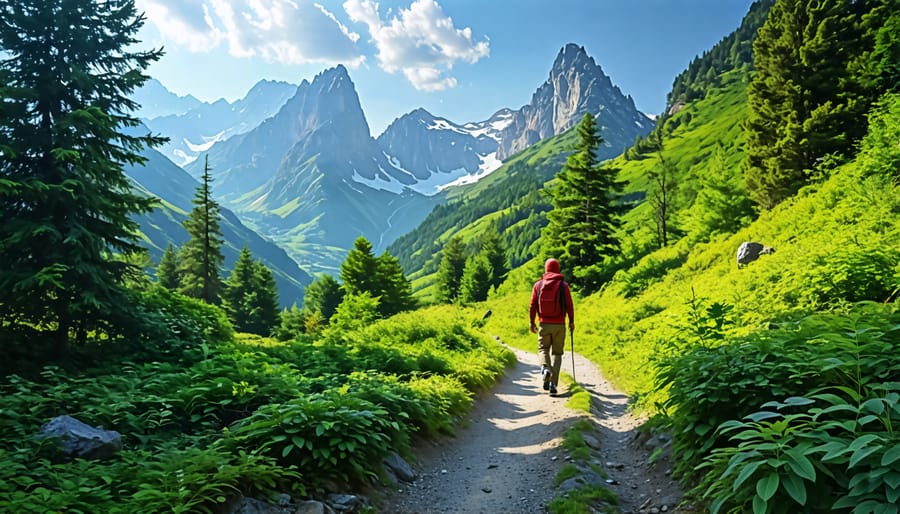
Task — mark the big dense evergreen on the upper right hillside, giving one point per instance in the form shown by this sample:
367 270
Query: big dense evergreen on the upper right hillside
807 98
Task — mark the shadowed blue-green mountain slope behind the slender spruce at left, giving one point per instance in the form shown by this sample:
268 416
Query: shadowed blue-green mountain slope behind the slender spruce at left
161 178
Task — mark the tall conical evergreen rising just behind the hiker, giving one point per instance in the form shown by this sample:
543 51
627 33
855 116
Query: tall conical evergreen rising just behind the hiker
581 229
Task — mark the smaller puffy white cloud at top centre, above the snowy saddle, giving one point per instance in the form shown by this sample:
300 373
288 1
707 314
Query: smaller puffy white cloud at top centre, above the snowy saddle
421 42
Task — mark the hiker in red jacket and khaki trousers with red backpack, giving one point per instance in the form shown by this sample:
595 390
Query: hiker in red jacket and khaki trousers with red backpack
551 301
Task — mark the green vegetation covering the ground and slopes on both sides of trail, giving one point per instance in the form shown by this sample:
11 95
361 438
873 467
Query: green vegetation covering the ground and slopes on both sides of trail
778 380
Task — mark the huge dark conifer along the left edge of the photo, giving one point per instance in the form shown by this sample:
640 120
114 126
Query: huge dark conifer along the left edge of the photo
68 69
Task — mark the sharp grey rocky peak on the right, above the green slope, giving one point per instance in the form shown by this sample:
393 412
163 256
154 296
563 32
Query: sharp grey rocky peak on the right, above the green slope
576 85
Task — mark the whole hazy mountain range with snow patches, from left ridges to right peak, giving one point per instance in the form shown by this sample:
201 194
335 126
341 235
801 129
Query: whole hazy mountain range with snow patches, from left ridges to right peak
306 172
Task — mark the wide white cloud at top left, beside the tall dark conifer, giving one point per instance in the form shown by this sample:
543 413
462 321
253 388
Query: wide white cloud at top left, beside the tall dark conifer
283 31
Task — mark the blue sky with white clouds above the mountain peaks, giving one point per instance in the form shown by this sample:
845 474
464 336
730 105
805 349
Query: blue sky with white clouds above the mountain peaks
459 59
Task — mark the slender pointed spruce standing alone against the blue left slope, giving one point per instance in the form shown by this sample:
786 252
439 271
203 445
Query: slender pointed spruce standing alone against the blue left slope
200 260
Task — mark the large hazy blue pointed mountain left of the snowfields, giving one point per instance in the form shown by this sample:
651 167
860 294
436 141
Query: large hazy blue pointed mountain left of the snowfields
313 179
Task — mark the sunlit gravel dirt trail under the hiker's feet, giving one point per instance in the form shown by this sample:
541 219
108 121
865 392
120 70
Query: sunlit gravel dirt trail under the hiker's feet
505 460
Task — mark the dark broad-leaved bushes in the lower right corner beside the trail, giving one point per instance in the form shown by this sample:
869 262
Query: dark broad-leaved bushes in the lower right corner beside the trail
844 364
